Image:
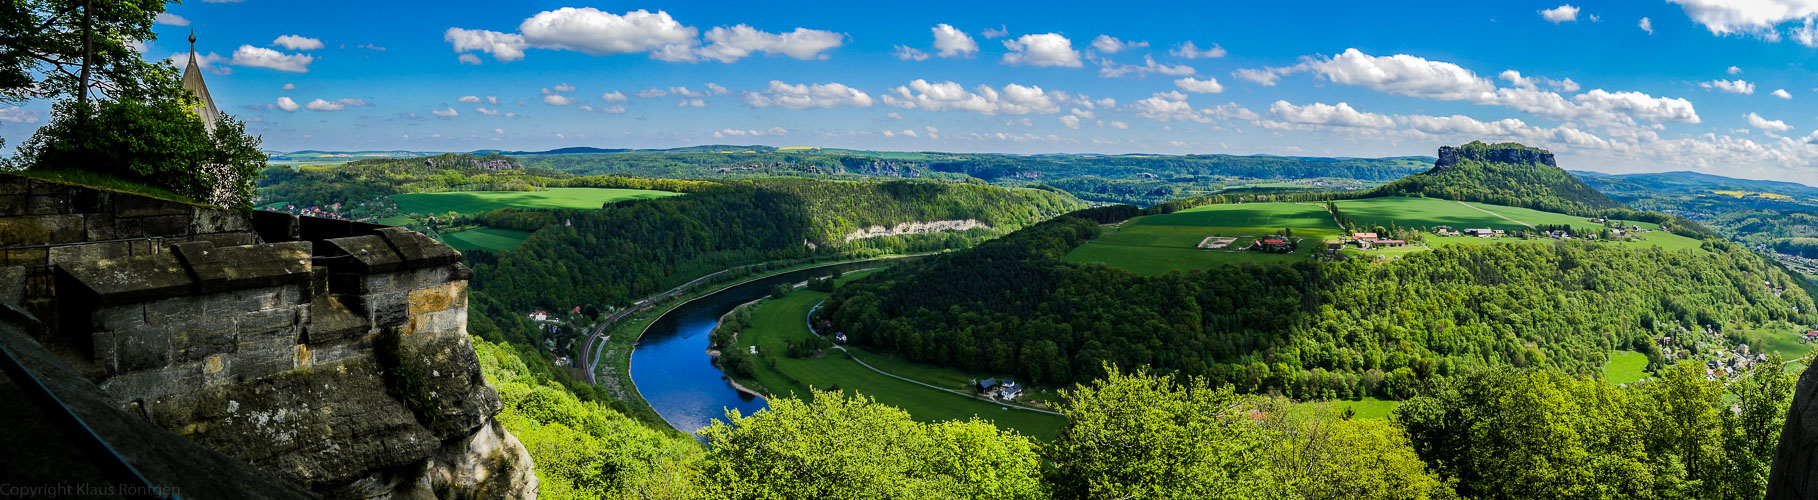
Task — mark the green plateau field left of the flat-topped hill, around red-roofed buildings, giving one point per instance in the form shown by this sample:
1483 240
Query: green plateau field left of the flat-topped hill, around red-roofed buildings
1166 243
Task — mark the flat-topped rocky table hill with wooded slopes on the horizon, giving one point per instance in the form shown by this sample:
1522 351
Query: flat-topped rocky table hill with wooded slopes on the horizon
1506 175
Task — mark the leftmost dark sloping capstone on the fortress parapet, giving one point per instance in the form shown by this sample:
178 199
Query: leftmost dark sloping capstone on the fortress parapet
123 281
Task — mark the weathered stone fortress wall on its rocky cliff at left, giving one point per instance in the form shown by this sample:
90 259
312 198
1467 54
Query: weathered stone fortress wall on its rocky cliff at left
330 355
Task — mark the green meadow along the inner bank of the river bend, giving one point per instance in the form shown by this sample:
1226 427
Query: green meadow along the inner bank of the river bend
779 321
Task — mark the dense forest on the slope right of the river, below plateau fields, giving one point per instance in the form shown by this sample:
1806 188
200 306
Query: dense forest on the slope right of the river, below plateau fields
1312 330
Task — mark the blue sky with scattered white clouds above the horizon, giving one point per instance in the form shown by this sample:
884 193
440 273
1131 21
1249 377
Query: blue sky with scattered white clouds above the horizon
1704 86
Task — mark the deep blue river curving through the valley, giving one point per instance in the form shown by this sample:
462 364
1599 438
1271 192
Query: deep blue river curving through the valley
674 370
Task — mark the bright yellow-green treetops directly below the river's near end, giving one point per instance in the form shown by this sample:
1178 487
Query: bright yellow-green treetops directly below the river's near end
854 448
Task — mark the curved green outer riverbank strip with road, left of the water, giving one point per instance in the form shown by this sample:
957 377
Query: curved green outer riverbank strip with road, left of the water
621 339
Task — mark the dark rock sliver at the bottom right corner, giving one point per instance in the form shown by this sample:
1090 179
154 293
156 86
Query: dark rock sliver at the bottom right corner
1795 472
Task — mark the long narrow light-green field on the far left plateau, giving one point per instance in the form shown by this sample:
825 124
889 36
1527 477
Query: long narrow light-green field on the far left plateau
474 203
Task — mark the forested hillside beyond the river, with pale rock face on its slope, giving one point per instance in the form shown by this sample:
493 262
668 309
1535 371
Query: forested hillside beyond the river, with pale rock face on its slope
632 250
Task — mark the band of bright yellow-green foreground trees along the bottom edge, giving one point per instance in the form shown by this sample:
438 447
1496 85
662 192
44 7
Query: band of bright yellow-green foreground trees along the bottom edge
1499 434
